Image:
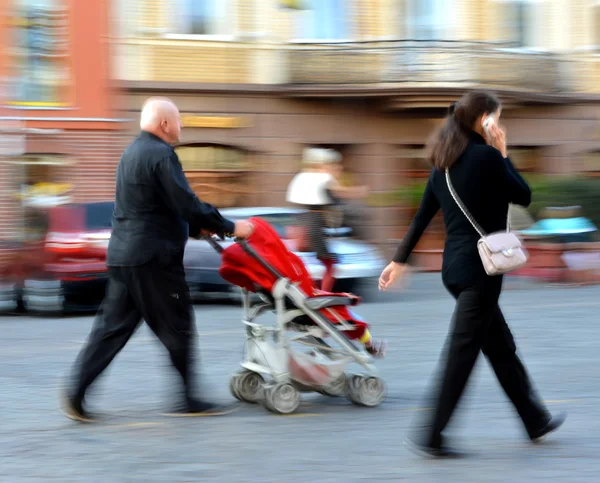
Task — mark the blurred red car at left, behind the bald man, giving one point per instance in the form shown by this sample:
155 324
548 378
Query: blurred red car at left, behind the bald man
63 269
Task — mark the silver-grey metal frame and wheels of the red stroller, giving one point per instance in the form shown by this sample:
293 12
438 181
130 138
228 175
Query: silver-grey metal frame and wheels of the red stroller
265 376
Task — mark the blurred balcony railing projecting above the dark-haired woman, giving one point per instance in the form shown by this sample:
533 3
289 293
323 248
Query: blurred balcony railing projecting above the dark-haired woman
426 64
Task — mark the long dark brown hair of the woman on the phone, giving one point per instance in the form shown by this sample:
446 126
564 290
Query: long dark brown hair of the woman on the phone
451 139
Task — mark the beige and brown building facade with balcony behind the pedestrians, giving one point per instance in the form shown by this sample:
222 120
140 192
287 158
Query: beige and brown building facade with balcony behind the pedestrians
257 82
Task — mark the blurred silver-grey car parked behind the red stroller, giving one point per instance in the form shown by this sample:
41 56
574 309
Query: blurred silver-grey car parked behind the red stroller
359 262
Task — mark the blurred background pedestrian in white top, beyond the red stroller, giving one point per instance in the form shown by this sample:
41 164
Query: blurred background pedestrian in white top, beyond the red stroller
318 189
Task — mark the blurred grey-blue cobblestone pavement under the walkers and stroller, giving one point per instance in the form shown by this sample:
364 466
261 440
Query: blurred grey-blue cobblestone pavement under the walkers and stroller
557 330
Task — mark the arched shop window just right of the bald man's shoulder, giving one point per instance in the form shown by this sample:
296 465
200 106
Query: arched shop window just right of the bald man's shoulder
217 174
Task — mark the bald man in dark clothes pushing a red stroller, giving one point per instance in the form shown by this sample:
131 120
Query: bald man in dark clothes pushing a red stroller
155 213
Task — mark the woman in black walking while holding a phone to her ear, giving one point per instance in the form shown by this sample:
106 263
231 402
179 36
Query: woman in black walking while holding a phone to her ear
485 180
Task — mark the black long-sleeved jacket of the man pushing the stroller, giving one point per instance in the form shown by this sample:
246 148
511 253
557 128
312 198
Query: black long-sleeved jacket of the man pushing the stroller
155 208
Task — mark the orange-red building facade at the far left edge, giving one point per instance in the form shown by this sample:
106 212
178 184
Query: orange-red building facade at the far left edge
61 134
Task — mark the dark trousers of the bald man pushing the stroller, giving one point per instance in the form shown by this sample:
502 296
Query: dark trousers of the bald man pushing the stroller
156 292
